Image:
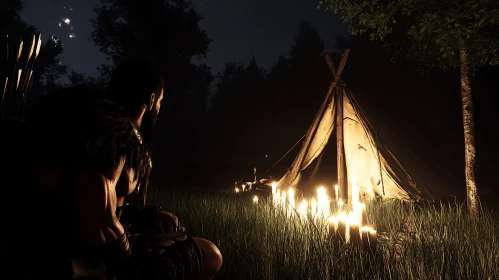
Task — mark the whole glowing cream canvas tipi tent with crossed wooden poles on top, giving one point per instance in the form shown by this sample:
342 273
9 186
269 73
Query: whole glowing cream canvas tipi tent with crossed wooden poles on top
360 154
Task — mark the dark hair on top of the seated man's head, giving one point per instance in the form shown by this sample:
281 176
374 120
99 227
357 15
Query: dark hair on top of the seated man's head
133 82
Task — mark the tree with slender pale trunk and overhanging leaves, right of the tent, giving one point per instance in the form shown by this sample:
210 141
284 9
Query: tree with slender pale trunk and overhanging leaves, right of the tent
444 34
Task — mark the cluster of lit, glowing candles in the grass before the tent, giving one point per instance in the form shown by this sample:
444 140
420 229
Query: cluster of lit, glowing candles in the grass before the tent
346 227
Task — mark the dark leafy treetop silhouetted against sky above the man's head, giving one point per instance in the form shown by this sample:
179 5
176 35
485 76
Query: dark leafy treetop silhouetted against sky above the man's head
167 32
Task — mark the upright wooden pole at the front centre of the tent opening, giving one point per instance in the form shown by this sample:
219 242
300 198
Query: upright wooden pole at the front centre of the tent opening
344 190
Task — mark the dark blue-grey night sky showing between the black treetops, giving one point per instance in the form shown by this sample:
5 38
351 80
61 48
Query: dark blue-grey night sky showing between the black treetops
239 29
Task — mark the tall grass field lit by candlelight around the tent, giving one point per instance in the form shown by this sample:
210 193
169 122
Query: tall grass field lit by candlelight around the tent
431 242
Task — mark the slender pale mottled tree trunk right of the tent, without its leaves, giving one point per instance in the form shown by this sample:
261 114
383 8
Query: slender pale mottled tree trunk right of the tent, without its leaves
469 132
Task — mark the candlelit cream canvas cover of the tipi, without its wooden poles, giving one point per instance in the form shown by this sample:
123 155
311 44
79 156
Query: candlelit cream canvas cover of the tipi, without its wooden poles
367 157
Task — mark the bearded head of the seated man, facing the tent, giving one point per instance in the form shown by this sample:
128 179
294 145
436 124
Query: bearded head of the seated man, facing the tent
139 89
